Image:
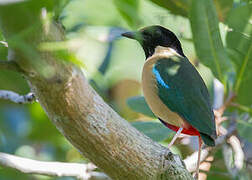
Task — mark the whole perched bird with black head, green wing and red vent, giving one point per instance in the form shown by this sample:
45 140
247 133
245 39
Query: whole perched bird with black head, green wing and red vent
173 88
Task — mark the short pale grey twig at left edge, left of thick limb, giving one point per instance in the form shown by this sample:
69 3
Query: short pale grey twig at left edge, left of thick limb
14 97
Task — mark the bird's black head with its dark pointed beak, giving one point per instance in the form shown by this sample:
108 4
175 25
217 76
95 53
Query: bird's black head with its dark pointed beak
152 36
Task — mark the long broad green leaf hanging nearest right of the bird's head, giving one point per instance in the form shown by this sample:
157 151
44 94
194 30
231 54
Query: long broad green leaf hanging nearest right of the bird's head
207 39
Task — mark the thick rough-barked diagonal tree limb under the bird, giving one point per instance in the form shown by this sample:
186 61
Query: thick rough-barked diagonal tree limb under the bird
77 111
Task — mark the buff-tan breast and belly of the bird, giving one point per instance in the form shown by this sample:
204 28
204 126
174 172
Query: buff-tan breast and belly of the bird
150 90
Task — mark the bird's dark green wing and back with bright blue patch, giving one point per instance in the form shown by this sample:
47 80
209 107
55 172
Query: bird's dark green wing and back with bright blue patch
182 90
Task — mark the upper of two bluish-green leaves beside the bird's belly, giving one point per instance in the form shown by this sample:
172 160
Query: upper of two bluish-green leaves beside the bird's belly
138 104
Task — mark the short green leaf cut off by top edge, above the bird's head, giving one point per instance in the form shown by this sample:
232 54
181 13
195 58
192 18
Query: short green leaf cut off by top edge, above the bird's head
177 7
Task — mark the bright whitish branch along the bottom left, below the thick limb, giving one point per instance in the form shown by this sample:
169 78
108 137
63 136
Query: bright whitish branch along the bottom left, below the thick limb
80 171
